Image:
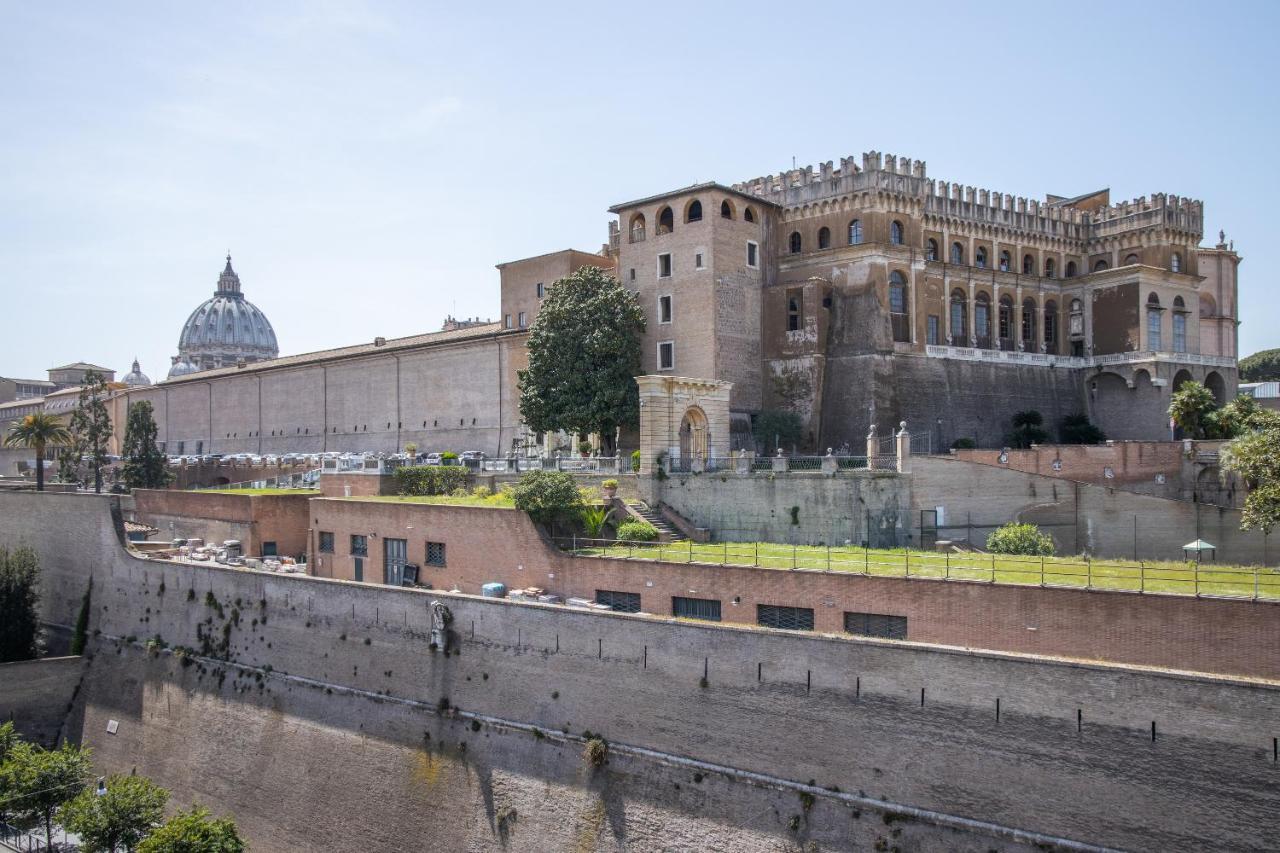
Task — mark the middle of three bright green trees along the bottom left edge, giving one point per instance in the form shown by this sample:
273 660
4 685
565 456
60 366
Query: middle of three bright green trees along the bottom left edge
122 816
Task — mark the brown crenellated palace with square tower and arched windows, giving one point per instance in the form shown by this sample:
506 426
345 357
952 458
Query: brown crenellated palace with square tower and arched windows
874 294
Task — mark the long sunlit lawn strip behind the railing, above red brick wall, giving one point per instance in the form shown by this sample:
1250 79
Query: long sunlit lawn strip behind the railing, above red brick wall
1177 578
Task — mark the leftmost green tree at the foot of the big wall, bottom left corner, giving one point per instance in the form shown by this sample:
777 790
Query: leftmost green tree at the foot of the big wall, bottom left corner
40 782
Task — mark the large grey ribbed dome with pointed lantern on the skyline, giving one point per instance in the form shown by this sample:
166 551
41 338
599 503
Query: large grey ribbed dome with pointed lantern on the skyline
226 330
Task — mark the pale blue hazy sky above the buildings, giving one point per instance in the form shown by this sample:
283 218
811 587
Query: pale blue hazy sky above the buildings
368 165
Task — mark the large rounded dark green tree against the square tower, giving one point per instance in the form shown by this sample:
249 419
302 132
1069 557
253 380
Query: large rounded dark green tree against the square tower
584 354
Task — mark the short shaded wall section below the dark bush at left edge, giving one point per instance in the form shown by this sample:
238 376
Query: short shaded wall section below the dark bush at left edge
38 696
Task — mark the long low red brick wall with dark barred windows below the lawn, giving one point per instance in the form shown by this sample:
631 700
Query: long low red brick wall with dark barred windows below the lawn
1213 636
